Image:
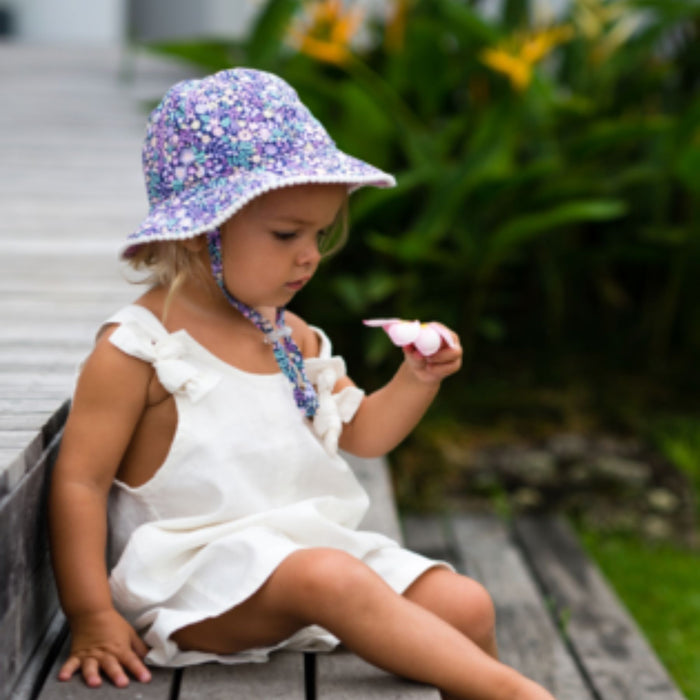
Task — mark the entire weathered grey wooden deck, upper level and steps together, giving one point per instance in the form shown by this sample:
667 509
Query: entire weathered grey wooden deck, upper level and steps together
70 190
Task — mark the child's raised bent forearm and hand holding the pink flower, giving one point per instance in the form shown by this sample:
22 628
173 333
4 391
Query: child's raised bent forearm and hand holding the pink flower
388 415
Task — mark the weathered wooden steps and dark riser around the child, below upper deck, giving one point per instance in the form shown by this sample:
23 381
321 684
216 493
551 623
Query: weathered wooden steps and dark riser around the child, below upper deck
558 621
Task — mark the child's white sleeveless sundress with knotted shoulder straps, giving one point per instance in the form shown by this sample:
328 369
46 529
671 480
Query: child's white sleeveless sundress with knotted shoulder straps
247 481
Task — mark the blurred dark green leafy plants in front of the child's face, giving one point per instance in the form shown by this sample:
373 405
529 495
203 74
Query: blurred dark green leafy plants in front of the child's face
553 222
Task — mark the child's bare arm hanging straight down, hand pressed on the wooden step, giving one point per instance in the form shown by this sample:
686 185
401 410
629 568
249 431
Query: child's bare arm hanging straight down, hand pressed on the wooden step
109 399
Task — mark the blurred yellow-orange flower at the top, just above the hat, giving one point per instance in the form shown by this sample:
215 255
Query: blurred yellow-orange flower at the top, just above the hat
326 29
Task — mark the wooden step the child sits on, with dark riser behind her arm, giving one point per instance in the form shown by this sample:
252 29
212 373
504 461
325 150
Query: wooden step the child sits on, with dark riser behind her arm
34 638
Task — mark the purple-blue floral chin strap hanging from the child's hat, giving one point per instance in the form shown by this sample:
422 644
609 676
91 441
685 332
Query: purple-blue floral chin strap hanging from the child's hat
279 335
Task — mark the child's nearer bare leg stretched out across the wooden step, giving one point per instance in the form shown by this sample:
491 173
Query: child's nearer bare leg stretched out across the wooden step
332 589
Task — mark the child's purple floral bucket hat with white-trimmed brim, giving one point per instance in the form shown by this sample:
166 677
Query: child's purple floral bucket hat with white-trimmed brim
216 143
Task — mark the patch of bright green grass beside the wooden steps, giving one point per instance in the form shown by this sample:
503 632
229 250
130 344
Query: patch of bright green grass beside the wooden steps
660 585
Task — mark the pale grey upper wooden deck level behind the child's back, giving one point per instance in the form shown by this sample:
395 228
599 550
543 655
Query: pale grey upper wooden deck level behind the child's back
70 190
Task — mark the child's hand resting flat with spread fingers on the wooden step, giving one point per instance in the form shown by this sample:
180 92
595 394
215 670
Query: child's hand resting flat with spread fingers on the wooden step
106 642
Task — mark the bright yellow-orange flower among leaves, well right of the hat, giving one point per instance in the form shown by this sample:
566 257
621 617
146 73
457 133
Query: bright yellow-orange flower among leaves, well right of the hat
516 58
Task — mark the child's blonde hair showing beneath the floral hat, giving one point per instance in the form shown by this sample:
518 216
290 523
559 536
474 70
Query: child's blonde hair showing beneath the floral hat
170 264
